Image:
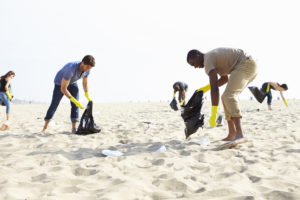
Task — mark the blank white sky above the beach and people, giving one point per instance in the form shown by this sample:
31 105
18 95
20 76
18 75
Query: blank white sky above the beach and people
140 46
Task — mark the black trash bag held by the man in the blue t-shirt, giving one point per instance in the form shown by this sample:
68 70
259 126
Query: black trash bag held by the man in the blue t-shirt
87 124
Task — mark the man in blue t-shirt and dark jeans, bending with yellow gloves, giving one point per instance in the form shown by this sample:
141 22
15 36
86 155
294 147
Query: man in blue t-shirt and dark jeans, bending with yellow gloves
66 84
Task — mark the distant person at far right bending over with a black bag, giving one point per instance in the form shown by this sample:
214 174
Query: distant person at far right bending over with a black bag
265 91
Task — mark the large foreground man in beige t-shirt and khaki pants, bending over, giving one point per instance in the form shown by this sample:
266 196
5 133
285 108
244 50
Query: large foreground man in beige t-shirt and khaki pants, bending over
241 70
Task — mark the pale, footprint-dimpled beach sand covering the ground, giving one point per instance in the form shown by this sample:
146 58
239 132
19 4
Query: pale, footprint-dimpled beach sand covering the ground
157 162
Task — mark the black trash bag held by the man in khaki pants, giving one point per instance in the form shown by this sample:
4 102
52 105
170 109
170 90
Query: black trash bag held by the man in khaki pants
191 114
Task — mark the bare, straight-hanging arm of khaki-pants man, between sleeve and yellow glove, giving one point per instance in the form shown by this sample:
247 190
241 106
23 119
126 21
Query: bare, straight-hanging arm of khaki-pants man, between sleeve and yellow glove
214 89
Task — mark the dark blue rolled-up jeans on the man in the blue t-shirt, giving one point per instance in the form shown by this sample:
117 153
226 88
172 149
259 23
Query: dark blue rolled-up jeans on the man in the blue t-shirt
56 98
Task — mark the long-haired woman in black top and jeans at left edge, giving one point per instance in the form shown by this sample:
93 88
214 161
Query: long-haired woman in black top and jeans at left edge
5 95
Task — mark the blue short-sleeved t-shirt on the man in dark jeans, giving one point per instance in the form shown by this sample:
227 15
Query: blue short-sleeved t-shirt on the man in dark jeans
71 71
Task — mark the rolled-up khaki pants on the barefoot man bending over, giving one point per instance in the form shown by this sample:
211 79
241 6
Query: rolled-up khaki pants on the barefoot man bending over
239 78
